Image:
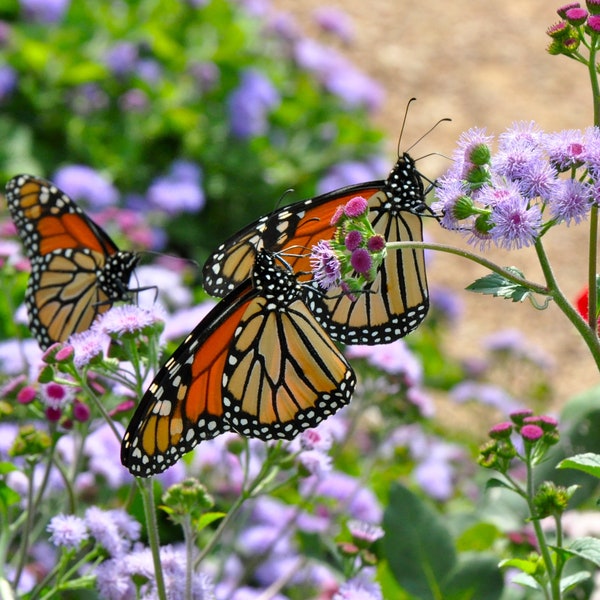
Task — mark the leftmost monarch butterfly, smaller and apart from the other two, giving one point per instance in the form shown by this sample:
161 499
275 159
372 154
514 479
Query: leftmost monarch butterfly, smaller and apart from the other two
77 272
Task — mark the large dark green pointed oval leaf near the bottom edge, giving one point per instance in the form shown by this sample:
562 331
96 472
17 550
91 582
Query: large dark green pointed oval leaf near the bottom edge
417 545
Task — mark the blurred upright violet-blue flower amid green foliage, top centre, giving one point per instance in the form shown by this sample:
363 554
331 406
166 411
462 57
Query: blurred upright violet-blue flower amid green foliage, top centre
250 103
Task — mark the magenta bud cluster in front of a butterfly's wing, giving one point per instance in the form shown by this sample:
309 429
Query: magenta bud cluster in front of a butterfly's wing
351 259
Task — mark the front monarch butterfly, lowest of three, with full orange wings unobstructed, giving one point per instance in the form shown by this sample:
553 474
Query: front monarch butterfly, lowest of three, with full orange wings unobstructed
259 363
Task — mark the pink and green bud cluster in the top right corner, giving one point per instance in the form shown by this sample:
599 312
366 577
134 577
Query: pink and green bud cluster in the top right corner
567 35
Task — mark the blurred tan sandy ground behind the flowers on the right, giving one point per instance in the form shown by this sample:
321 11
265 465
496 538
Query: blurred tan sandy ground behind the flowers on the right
481 64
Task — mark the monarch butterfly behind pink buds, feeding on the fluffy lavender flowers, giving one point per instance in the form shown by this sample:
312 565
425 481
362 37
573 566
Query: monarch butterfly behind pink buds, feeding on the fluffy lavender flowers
391 306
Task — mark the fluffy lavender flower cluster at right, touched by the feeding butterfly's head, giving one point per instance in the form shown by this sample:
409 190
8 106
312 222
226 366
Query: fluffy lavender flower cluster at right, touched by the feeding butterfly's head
533 182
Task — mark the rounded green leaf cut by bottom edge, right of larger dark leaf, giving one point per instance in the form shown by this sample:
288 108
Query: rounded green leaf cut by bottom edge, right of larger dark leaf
477 577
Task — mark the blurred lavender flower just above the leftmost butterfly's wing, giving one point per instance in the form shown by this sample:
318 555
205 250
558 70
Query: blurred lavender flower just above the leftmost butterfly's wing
84 183
